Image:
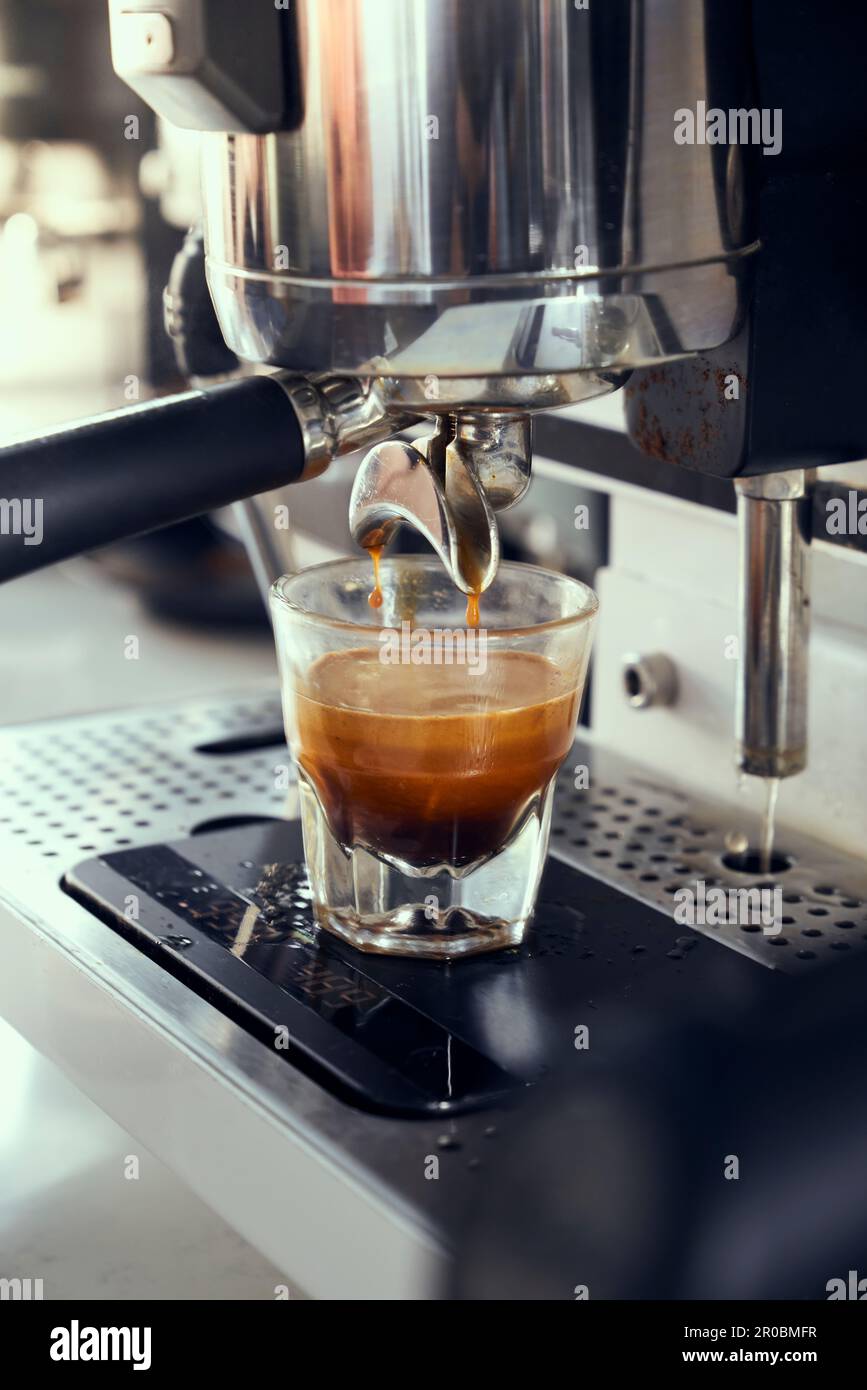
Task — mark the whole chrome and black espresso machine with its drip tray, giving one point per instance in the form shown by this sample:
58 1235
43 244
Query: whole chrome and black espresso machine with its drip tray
493 250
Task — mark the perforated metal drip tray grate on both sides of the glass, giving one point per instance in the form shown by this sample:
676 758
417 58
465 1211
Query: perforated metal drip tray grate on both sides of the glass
80 787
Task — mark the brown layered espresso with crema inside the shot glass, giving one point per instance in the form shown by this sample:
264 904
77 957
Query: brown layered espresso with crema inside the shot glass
437 768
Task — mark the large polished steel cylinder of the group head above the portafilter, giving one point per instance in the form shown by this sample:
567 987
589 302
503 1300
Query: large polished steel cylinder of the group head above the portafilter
483 194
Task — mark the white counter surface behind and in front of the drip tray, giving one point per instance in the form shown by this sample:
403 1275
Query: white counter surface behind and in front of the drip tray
69 1214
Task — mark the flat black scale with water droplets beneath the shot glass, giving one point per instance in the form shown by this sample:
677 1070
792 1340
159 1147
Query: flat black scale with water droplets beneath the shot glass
229 913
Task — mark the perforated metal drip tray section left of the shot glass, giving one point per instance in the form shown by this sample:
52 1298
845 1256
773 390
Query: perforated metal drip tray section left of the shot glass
77 787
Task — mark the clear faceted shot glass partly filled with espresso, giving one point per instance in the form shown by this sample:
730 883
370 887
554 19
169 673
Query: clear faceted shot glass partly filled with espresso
426 750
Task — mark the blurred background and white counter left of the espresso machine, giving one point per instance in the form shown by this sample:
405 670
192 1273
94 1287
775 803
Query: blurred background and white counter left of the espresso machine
95 199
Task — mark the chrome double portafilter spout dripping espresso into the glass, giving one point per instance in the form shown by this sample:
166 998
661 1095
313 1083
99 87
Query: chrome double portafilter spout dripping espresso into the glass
449 487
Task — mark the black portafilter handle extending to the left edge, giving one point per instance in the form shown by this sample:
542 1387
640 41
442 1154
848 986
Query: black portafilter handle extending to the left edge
135 471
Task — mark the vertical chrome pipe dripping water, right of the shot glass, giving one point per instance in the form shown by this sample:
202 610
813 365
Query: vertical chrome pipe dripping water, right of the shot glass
772 712
